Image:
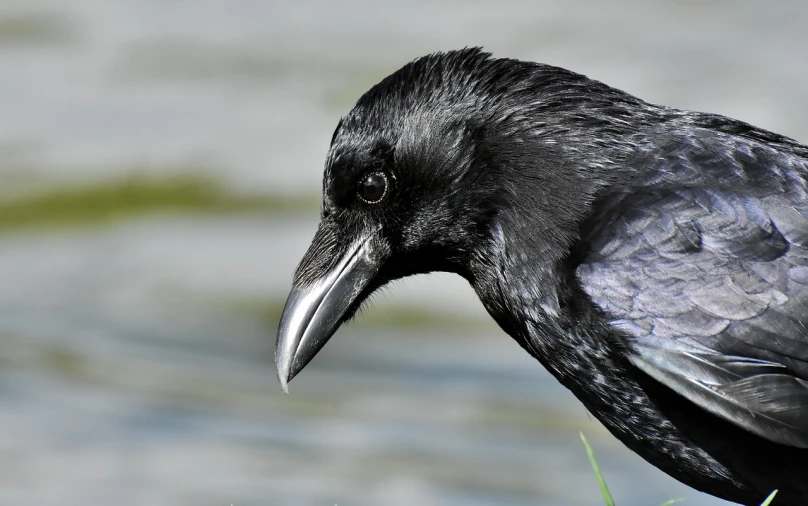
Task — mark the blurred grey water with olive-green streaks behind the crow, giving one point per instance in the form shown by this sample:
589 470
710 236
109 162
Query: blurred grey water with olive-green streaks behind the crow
160 165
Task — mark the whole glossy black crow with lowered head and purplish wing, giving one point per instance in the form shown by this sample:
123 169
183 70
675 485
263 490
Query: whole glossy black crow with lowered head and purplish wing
654 260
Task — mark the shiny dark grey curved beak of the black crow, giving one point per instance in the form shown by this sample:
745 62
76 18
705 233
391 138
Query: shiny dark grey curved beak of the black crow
316 308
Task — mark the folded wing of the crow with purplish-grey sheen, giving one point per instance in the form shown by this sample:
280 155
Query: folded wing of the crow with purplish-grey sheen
704 266
